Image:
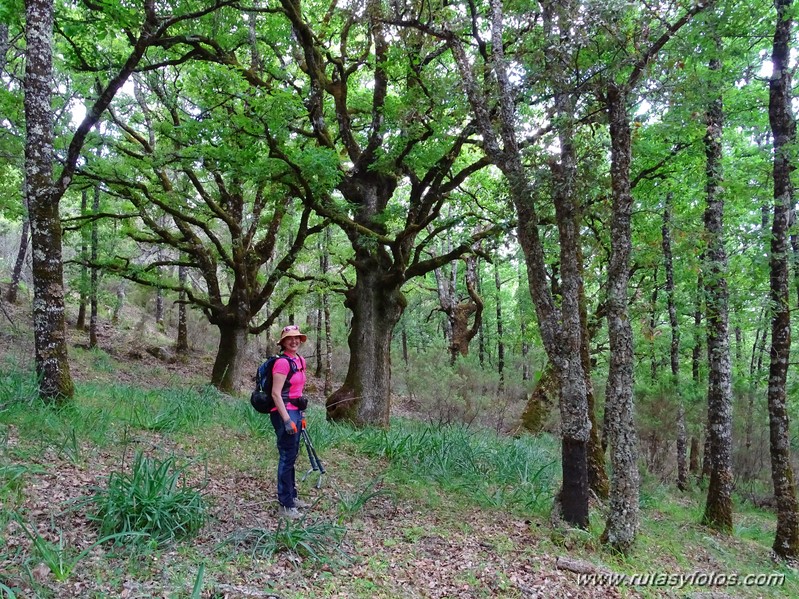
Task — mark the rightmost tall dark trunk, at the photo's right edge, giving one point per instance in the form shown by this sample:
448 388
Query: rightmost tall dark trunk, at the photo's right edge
783 126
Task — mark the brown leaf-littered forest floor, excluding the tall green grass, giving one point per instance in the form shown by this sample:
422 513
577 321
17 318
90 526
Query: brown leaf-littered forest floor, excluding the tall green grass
412 538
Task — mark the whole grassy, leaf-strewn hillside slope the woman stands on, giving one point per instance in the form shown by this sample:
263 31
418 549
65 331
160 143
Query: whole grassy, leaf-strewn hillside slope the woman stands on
416 511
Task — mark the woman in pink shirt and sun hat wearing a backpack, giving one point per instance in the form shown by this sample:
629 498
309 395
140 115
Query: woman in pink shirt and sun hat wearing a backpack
288 381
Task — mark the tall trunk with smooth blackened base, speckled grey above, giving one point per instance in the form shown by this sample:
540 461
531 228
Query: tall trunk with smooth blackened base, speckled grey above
563 333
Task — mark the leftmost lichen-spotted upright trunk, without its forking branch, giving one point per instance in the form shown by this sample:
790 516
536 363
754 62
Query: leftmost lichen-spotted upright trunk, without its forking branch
52 363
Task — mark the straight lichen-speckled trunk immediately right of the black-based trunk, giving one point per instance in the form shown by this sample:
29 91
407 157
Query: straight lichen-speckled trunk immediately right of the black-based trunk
622 522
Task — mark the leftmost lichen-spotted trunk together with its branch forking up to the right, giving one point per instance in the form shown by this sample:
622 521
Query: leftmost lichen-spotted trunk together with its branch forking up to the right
44 194
